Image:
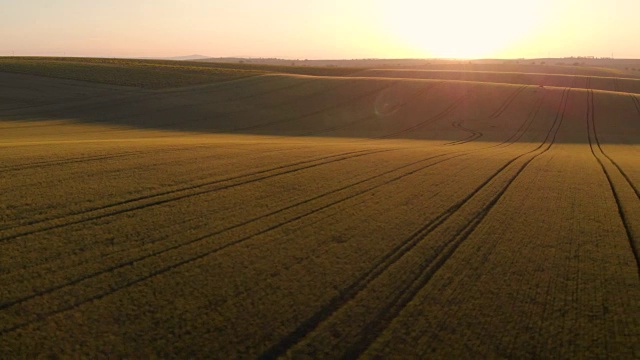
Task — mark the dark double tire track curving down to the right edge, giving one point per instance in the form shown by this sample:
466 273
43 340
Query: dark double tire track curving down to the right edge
593 137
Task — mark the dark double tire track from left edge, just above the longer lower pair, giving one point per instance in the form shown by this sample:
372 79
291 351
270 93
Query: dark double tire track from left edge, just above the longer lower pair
163 197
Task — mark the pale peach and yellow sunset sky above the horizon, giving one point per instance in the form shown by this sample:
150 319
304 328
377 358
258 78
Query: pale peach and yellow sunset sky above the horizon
321 29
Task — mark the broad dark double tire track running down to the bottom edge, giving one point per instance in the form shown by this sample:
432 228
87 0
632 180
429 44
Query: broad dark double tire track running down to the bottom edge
392 308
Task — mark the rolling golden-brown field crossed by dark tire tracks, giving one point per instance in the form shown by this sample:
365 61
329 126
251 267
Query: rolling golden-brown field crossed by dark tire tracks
290 216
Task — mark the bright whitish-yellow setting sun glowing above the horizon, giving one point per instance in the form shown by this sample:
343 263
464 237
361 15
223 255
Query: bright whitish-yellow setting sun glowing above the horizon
459 29
